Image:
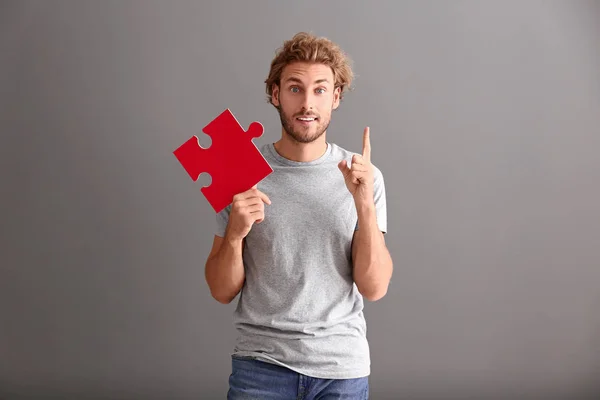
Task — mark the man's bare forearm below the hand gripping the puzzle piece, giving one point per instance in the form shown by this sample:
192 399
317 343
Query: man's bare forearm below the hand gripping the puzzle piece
225 271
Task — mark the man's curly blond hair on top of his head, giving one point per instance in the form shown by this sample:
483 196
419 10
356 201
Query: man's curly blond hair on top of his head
306 47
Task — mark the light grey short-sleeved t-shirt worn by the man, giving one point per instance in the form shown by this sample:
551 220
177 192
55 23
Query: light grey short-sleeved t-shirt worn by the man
299 306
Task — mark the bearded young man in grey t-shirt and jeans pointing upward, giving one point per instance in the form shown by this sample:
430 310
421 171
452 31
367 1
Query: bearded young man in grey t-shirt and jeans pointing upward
304 246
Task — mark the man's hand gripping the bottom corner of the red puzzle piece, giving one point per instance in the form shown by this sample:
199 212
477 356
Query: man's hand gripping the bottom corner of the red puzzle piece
247 208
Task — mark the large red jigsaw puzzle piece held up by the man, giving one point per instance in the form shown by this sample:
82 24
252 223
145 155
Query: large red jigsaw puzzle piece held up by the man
233 161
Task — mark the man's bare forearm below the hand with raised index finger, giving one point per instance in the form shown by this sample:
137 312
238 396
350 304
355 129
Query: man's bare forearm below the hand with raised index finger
372 261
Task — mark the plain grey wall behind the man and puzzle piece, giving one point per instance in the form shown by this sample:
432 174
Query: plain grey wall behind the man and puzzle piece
485 122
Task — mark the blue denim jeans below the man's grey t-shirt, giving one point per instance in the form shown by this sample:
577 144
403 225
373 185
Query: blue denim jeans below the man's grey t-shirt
254 379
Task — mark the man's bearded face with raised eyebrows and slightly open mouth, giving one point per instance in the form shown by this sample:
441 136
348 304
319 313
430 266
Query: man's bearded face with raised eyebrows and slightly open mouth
305 99
